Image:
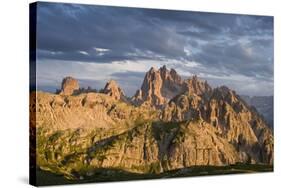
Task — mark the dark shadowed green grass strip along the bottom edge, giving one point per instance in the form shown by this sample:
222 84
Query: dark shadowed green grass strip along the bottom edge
105 175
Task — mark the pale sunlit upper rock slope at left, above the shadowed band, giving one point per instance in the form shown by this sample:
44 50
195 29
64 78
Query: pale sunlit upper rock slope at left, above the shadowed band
87 111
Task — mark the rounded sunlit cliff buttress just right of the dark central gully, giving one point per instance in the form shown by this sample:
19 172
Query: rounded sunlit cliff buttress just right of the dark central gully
197 143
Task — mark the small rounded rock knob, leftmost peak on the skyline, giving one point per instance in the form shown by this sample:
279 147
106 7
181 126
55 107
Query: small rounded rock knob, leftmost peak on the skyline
69 85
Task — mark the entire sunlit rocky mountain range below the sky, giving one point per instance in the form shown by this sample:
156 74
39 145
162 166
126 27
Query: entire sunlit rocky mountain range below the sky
170 123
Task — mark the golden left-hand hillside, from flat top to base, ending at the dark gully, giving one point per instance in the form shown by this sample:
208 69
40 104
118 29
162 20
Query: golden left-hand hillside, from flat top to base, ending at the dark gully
75 132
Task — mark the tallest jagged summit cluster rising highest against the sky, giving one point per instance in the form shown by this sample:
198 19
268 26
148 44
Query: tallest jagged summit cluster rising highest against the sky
160 86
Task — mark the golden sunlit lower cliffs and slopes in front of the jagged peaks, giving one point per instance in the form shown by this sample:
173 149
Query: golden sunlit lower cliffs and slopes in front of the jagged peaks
89 131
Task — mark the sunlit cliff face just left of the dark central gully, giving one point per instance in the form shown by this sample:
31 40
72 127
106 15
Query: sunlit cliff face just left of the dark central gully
135 150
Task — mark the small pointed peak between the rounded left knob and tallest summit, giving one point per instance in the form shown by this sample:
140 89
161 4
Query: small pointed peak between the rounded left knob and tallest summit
112 89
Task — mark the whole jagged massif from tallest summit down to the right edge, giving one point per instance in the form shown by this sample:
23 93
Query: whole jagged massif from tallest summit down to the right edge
194 100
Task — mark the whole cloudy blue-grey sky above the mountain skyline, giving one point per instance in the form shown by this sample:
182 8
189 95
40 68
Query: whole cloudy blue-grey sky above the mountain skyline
97 43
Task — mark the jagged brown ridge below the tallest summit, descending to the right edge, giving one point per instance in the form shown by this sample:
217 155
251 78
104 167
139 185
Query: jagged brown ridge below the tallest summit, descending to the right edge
230 116
